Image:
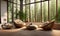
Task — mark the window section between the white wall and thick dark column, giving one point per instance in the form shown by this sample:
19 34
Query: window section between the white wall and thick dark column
13 9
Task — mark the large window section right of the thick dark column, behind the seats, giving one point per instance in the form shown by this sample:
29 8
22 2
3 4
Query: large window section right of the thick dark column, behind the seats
40 10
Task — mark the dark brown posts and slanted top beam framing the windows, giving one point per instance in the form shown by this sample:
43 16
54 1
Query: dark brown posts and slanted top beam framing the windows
34 9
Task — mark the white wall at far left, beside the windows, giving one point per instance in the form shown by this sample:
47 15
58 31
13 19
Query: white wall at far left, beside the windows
3 11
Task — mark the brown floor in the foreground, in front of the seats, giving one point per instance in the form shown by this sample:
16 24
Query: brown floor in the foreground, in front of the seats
18 32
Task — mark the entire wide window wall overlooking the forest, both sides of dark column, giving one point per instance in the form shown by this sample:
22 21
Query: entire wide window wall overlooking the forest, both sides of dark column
34 10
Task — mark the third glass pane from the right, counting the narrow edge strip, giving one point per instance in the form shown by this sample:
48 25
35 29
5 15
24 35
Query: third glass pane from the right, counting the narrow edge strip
45 11
